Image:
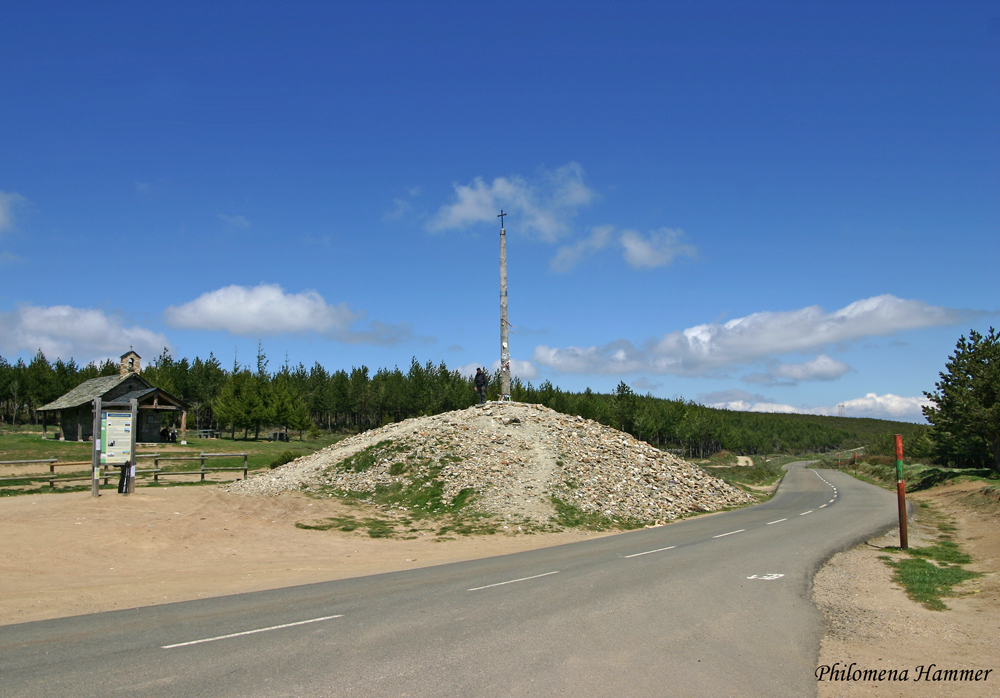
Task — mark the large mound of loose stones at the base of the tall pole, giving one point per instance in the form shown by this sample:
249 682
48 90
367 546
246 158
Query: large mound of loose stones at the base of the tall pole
510 459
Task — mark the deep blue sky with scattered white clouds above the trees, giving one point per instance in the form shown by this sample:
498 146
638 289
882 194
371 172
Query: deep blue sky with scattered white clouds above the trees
773 206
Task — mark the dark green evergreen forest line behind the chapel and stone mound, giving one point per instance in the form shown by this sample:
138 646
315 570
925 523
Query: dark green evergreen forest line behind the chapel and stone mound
250 399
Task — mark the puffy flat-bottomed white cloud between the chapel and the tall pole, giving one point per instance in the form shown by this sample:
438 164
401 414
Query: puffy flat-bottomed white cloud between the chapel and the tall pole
268 310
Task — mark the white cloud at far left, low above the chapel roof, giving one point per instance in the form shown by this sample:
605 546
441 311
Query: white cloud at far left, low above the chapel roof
84 334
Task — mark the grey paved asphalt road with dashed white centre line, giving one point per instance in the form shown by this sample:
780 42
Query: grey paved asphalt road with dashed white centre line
710 607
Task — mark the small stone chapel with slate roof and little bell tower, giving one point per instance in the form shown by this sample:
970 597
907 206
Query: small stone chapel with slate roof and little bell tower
74 411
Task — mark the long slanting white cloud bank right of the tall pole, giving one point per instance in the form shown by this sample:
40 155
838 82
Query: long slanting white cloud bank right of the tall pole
713 347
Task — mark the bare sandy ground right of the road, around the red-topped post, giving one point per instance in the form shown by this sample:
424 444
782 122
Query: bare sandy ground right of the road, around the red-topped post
873 624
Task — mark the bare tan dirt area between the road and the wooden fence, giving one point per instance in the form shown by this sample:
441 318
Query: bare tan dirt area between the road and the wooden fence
68 554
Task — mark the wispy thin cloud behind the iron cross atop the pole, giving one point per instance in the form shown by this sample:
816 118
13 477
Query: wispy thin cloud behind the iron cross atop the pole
542 207
